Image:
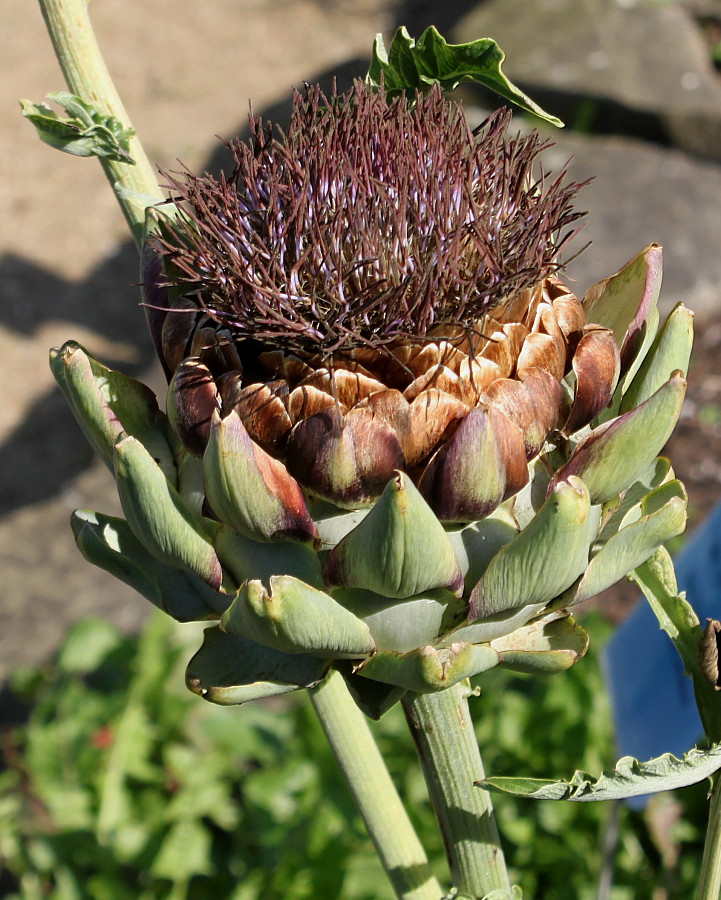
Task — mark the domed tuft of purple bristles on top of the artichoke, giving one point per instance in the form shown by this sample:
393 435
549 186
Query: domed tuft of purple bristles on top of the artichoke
369 220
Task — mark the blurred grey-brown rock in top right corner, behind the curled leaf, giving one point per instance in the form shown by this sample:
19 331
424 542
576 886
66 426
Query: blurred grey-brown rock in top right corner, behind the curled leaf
624 66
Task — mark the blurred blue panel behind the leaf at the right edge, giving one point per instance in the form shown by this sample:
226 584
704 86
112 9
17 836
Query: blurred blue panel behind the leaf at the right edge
652 700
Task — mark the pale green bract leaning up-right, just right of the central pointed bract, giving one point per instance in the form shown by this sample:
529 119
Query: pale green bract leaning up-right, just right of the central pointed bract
544 559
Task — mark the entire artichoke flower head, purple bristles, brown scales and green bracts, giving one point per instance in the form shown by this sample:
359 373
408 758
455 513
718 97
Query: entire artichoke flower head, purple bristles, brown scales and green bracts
396 443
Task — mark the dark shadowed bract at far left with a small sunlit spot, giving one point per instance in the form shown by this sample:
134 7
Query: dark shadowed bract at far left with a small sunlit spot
108 542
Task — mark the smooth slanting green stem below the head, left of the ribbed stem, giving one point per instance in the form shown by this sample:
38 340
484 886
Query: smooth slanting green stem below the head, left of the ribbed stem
385 817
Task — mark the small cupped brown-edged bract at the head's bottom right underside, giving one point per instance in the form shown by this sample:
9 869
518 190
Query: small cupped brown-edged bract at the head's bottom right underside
543 647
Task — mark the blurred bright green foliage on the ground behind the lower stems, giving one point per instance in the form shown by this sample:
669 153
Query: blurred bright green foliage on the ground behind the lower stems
122 785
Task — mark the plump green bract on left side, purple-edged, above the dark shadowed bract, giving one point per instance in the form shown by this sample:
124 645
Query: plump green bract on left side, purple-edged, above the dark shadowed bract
159 518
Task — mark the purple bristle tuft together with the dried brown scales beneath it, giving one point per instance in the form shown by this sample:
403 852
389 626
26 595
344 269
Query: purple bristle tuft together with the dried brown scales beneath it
406 315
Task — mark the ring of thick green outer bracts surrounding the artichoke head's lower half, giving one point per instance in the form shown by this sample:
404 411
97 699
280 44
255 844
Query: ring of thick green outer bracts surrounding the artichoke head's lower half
393 590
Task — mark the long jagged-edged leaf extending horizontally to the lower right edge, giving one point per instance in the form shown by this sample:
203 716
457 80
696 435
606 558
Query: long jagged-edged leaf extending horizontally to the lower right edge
630 778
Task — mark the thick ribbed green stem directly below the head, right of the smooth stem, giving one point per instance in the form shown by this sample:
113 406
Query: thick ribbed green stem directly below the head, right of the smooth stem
443 731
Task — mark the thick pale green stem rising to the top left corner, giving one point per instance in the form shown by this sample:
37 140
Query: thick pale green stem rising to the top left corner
135 186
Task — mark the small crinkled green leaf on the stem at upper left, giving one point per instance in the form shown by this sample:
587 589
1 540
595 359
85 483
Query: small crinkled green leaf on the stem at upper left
85 132
